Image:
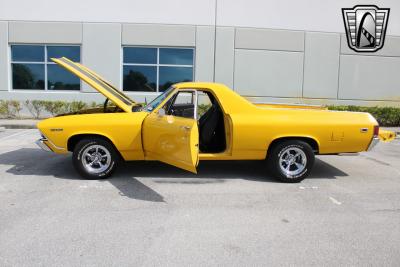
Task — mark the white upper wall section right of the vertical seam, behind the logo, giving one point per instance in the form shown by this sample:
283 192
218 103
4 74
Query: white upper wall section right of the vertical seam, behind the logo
309 15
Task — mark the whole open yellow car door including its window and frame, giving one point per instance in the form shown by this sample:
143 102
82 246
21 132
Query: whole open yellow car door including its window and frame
172 137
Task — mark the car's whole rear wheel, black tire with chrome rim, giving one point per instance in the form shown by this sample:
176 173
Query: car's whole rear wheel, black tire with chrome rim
287 150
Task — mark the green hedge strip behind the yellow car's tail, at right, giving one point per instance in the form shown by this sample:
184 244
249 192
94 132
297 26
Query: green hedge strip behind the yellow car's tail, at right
386 116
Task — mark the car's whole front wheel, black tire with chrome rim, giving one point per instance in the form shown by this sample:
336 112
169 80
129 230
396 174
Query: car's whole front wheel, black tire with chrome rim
104 166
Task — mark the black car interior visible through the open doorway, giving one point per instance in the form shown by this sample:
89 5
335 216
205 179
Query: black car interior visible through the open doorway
211 129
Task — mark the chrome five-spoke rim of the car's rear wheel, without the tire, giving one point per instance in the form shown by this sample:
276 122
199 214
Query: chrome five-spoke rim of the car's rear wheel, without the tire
292 161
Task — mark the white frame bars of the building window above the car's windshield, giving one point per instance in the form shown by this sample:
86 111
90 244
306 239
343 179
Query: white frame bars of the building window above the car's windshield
157 64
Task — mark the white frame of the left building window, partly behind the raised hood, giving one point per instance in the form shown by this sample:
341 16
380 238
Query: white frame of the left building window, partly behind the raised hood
45 63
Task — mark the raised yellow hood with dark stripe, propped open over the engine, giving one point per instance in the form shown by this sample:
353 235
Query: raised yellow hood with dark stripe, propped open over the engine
97 82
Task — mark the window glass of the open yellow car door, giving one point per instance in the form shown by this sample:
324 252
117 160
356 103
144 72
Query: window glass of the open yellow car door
181 105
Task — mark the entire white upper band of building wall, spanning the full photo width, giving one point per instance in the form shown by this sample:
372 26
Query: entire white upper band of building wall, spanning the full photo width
309 15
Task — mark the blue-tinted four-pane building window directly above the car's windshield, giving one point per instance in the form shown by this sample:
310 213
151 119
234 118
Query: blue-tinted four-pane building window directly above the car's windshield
155 69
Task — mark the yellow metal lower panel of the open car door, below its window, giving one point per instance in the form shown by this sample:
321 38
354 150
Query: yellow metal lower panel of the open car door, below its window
172 140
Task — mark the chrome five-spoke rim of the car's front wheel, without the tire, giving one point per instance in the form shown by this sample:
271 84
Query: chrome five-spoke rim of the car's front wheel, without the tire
96 159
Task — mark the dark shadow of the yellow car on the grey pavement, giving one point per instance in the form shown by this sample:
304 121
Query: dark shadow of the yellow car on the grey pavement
32 161
